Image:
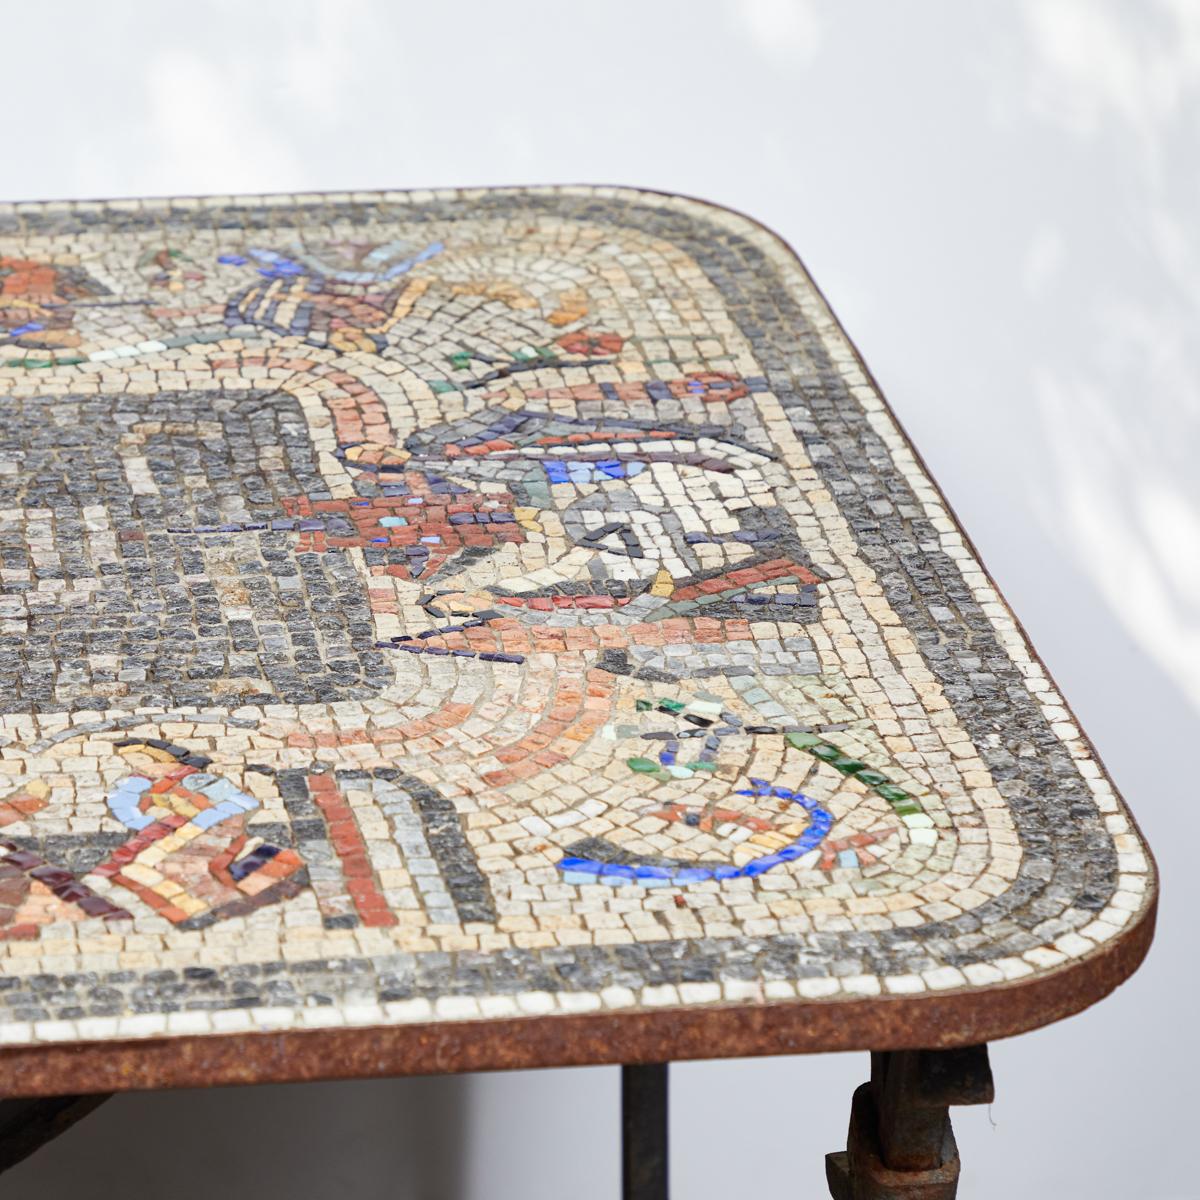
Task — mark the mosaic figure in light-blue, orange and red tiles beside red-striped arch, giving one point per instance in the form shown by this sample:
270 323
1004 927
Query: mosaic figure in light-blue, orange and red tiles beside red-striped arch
191 859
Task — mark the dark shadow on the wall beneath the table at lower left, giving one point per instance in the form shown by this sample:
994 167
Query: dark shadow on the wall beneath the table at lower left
311 1142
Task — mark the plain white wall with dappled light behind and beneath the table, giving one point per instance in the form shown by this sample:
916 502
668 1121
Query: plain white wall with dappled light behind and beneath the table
1000 201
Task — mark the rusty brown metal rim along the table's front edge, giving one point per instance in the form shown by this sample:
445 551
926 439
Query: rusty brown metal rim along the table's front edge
959 1018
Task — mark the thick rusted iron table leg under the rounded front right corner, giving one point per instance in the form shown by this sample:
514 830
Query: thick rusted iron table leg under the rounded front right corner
901 1144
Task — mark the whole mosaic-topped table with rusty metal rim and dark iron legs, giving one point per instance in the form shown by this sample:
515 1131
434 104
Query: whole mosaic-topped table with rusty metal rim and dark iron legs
489 629
